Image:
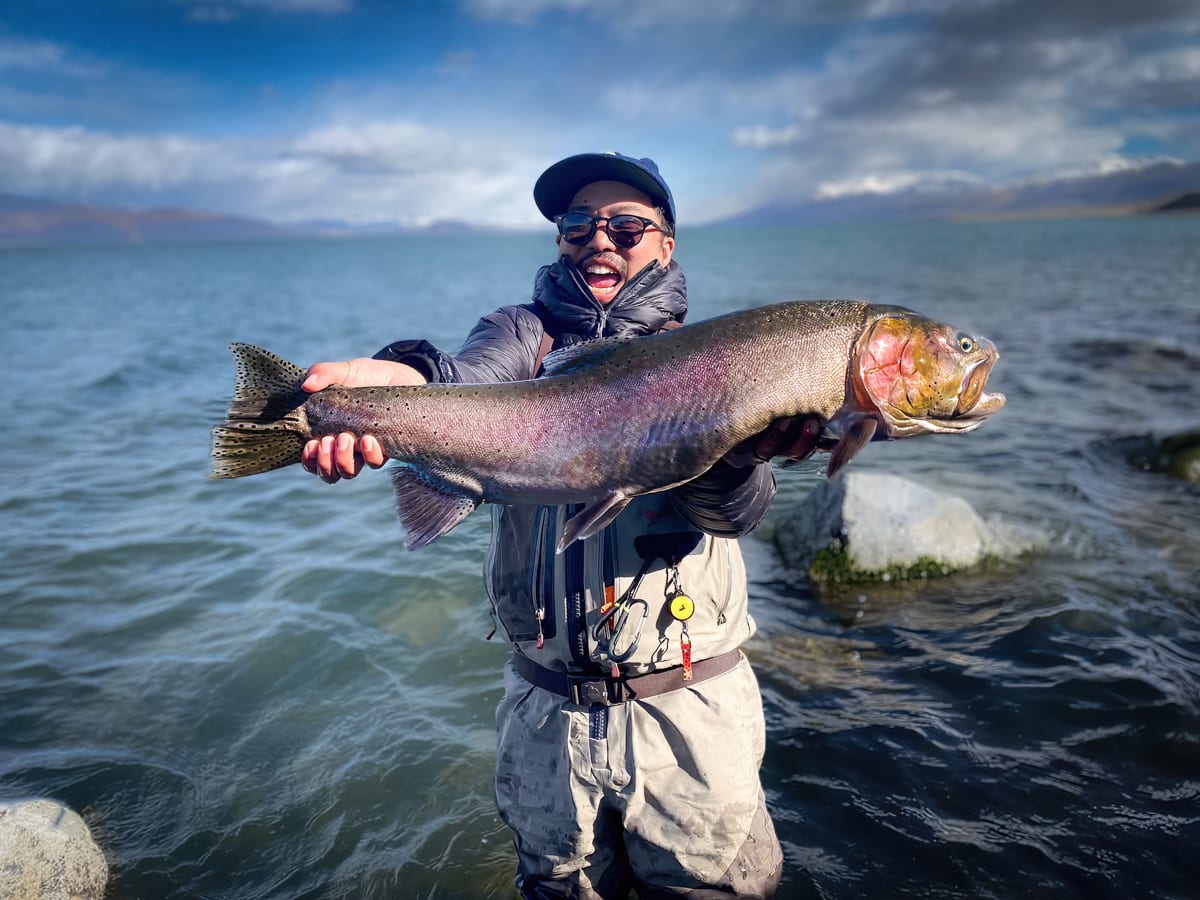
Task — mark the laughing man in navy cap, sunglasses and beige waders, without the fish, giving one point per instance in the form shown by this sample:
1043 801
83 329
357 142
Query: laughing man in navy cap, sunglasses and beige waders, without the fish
632 731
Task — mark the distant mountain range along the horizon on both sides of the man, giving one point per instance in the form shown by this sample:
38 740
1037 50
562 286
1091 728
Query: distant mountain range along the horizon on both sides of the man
1166 187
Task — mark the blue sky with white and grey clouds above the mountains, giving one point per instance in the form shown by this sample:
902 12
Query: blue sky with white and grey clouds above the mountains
370 112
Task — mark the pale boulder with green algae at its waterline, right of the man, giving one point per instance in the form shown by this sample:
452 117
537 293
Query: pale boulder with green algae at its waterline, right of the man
869 526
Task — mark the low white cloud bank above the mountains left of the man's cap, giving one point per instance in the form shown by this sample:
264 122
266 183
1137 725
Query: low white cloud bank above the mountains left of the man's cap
383 172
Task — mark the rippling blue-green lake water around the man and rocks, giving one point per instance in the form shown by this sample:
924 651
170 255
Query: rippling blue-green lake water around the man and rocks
251 691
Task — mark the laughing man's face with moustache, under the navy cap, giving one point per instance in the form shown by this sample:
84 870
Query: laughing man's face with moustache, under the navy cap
607 267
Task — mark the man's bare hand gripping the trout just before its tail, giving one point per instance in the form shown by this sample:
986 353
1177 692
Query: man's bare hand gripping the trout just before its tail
344 457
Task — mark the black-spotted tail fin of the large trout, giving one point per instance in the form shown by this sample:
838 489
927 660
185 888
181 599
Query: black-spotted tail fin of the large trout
266 428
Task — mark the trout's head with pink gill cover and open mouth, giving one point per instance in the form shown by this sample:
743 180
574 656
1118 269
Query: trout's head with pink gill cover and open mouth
922 376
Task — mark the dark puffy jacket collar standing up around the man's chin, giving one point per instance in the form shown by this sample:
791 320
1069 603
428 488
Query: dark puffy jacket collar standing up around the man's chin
646 303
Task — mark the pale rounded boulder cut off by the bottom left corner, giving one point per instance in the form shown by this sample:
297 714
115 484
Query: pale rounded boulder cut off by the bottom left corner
49 854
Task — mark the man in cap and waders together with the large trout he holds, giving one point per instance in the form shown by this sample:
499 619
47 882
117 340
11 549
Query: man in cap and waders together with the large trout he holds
621 475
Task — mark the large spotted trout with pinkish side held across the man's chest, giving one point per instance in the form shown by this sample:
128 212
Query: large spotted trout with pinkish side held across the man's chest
617 418
